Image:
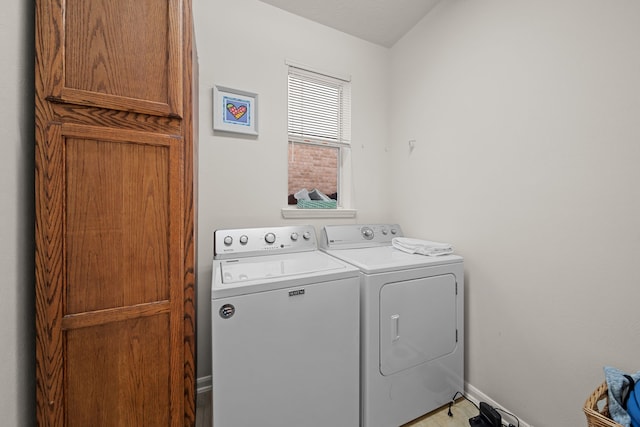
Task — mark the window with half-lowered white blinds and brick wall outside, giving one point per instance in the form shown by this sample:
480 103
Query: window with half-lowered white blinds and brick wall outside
319 131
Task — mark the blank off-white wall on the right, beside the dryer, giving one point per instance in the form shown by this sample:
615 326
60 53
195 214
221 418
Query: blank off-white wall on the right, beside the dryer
526 117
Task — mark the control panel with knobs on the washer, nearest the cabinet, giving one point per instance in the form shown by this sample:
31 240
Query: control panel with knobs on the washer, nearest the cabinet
243 242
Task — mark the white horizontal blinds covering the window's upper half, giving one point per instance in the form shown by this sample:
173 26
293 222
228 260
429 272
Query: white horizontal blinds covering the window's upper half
319 108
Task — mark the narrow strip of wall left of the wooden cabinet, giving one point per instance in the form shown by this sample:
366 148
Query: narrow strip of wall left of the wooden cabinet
17 318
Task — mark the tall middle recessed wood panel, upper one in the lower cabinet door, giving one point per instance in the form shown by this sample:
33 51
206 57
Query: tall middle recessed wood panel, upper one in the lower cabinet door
117 223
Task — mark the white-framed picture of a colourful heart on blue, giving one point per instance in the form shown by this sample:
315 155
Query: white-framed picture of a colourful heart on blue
235 110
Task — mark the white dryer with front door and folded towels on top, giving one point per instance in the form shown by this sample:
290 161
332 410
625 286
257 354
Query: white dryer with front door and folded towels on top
412 323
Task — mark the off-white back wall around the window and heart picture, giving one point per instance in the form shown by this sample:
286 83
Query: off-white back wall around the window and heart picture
243 181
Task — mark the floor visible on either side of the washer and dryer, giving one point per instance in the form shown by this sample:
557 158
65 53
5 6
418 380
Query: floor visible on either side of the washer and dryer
462 411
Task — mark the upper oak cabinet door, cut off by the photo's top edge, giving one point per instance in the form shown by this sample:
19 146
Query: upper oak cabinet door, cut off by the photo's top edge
119 54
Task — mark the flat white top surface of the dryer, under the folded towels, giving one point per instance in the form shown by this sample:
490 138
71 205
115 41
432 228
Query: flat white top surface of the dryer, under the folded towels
387 258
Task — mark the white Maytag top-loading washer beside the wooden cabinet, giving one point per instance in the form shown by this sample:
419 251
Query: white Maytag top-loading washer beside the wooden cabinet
285 331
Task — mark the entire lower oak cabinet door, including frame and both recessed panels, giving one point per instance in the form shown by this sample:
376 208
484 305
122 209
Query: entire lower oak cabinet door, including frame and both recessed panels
121 232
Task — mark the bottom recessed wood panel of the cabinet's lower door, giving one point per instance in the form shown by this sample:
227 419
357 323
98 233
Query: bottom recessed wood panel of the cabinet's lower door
117 375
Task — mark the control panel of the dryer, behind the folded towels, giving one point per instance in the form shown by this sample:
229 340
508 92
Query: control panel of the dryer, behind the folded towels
358 235
